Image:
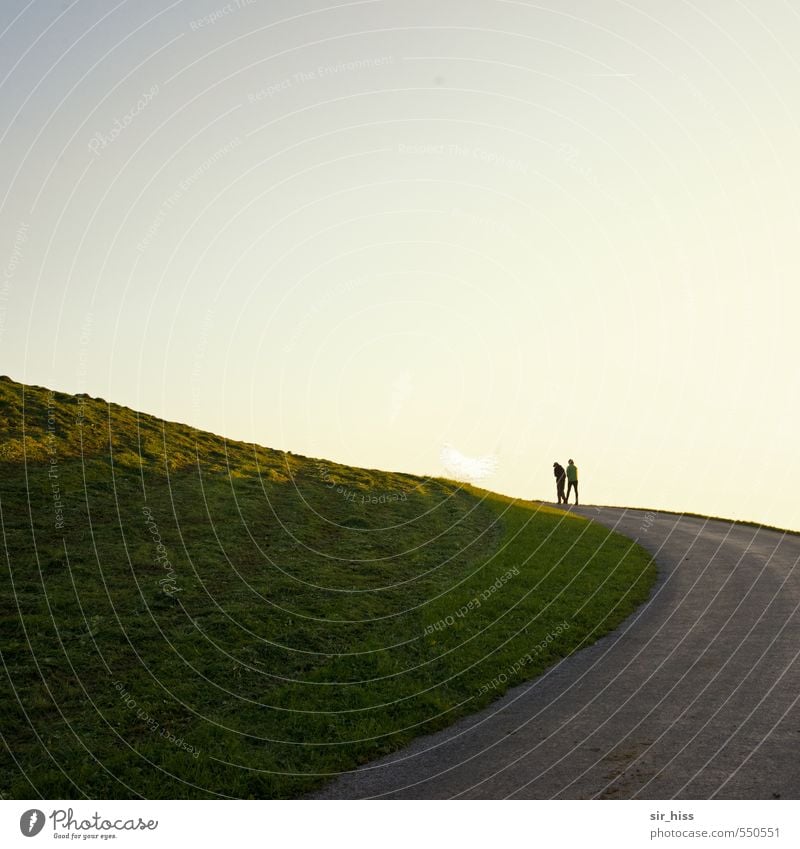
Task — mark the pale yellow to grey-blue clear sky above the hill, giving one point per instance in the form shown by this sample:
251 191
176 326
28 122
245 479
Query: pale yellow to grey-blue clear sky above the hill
391 232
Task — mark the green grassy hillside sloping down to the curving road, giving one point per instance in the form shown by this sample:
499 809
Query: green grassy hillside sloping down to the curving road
183 616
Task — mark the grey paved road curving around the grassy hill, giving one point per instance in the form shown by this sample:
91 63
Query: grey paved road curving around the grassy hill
696 696
